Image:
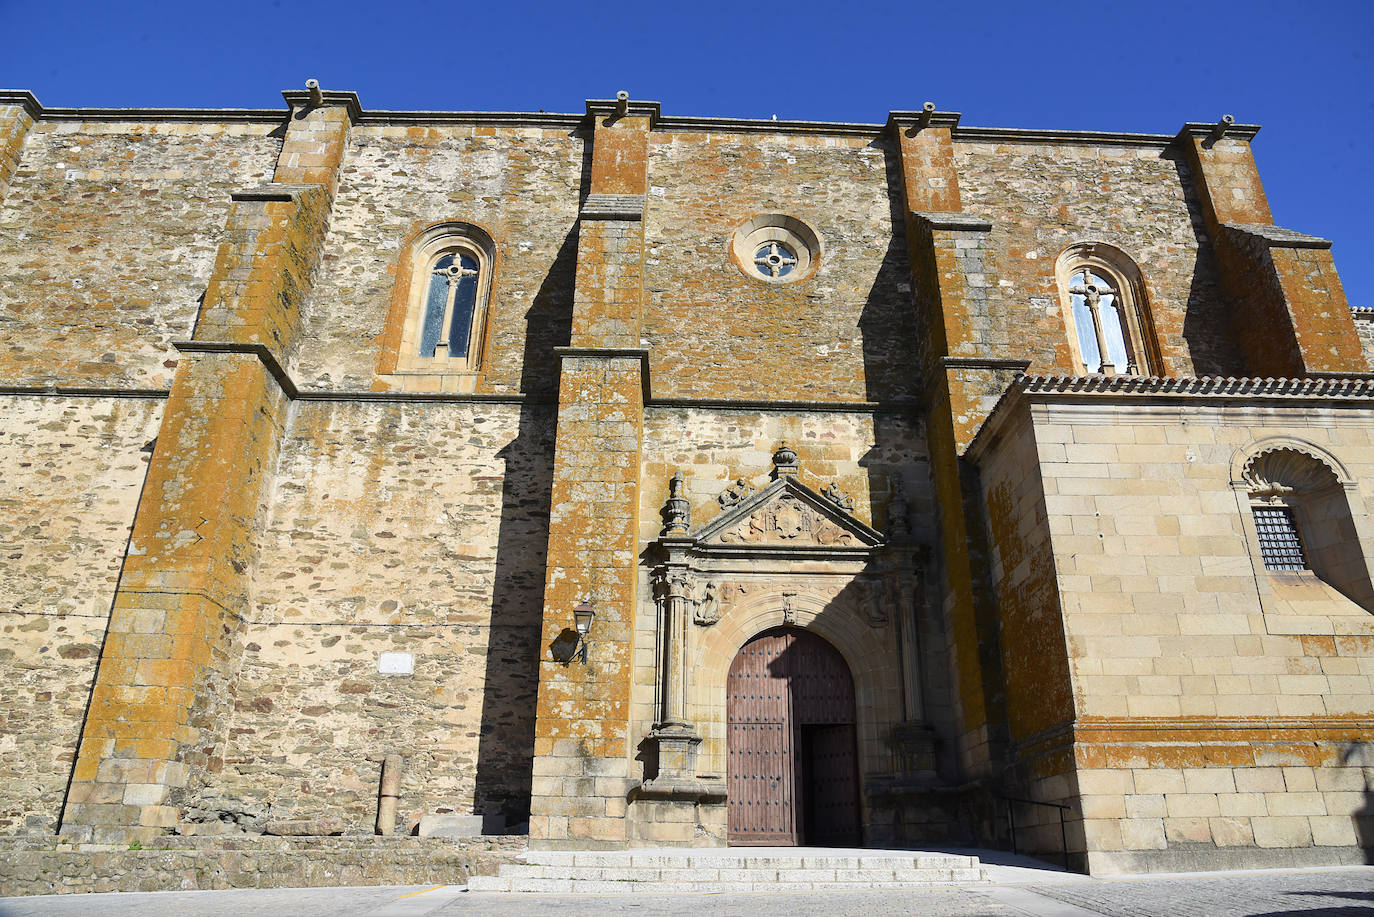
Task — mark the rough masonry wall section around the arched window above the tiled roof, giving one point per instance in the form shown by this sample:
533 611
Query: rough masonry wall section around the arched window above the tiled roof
1044 199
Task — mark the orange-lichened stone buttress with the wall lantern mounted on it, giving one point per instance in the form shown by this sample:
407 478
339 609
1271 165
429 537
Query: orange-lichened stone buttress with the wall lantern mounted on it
583 747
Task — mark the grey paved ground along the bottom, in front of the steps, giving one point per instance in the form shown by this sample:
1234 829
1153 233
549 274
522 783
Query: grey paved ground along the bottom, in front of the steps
1332 893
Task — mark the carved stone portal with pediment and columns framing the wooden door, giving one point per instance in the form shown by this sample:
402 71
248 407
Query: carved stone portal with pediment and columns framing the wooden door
782 556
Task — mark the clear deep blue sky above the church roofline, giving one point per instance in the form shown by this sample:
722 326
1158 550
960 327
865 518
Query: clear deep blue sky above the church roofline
1305 71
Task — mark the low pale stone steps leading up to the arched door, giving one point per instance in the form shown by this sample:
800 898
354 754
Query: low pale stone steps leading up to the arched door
729 871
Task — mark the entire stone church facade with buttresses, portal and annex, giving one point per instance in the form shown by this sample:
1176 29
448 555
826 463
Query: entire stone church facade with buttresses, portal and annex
655 480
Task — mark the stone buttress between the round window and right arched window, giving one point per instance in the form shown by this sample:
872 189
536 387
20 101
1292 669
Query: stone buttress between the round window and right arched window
967 362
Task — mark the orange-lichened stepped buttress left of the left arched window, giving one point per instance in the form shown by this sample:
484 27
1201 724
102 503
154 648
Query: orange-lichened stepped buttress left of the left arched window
159 710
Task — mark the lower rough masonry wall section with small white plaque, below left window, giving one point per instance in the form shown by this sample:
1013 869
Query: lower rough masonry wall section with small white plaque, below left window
410 529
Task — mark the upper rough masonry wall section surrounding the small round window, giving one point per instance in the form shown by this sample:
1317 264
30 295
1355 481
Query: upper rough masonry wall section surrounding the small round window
847 333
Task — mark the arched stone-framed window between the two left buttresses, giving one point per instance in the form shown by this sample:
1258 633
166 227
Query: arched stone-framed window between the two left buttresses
450 274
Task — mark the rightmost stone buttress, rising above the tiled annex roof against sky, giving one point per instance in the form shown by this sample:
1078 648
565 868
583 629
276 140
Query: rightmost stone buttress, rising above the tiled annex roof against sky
1288 306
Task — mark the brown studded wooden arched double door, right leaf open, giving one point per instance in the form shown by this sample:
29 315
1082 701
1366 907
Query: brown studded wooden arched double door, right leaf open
792 764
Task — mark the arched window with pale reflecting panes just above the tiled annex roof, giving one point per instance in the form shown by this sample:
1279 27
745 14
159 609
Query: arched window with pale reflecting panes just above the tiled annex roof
1104 307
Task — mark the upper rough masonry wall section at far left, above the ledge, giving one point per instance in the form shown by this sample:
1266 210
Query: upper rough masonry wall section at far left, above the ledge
108 236
